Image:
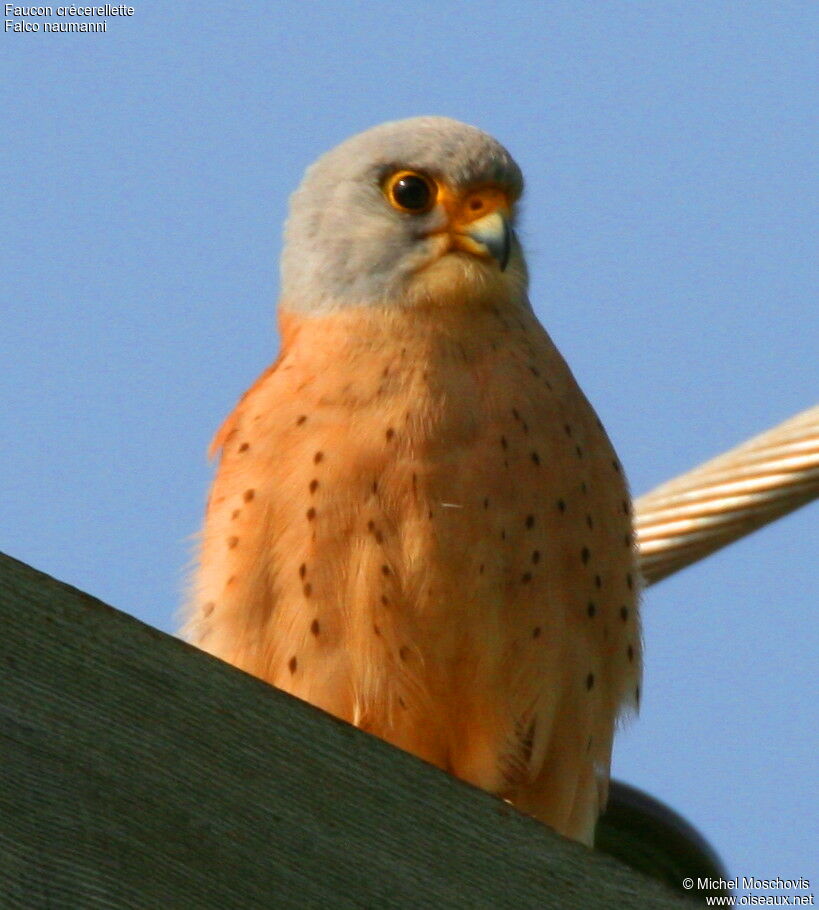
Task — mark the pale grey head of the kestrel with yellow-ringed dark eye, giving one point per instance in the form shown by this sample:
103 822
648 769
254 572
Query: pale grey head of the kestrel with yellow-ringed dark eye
416 212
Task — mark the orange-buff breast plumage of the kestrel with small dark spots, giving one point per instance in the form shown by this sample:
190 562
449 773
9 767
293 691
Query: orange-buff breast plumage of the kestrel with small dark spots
425 528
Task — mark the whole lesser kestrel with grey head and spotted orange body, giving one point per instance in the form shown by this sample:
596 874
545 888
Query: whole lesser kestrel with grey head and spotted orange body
418 522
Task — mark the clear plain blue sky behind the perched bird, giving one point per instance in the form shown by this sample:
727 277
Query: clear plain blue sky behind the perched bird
670 222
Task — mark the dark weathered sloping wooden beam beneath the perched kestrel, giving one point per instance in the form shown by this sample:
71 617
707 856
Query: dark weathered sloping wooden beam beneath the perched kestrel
138 772
